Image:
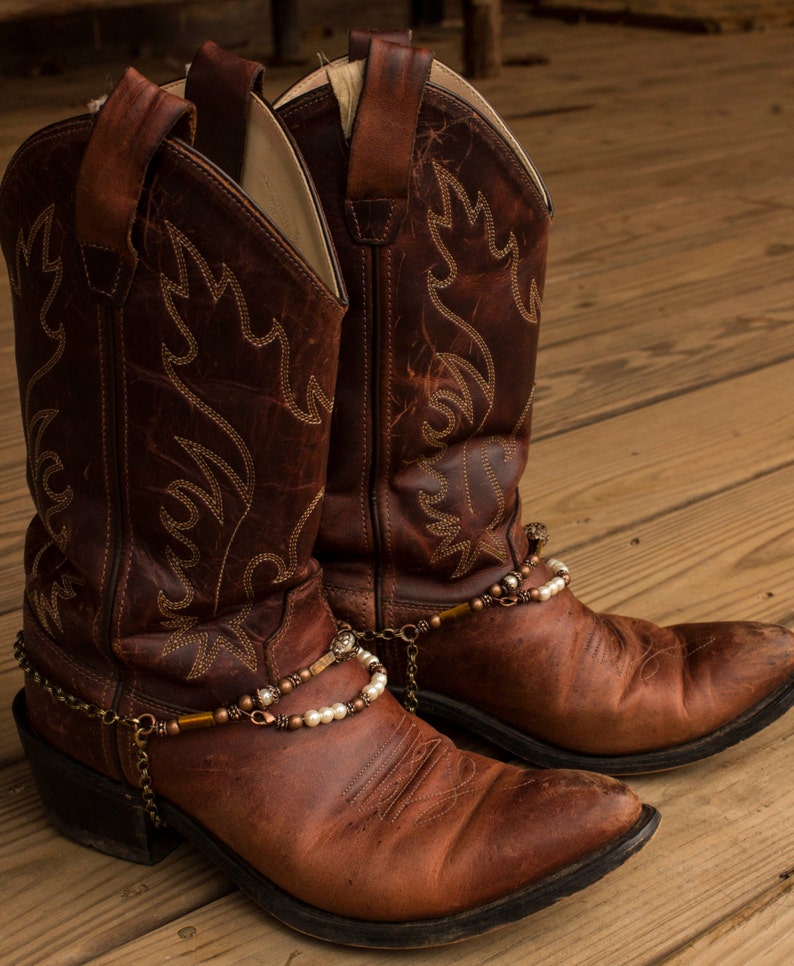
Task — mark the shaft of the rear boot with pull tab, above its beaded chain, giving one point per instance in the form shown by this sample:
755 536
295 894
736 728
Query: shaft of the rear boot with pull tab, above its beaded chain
433 410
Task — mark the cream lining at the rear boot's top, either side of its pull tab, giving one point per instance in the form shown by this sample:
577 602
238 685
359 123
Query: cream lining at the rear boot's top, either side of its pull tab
347 83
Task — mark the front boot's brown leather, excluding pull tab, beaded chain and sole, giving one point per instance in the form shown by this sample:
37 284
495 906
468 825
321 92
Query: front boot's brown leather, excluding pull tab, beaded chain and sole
177 457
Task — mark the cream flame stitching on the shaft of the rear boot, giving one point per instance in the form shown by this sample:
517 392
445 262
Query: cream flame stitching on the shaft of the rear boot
451 403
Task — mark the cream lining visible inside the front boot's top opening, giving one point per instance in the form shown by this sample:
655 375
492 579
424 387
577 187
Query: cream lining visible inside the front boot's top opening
274 180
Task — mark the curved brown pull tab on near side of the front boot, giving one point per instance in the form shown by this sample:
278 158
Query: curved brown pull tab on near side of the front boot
129 128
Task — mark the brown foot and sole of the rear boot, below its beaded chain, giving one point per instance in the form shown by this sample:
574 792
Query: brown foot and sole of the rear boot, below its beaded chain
563 686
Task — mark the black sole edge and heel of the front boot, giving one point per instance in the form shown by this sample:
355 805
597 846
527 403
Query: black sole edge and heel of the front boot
110 817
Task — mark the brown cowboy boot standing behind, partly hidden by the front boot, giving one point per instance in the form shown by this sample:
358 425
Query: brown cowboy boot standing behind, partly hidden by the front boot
440 221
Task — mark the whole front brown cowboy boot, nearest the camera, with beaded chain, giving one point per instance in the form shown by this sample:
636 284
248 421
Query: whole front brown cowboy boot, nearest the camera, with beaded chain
177 338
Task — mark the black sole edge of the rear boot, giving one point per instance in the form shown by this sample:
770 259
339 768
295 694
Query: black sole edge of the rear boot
545 755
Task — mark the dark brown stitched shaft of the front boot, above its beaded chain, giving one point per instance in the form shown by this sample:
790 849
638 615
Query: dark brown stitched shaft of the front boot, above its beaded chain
177 362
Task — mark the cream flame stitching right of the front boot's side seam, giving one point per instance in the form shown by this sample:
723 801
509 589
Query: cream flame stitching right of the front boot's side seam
211 496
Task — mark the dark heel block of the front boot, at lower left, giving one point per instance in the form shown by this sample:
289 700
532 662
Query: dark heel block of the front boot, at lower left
88 807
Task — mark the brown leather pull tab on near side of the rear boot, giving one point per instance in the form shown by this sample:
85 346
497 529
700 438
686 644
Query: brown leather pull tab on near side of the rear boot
382 142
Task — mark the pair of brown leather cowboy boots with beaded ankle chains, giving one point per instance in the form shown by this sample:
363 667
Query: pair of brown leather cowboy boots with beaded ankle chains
209 408
